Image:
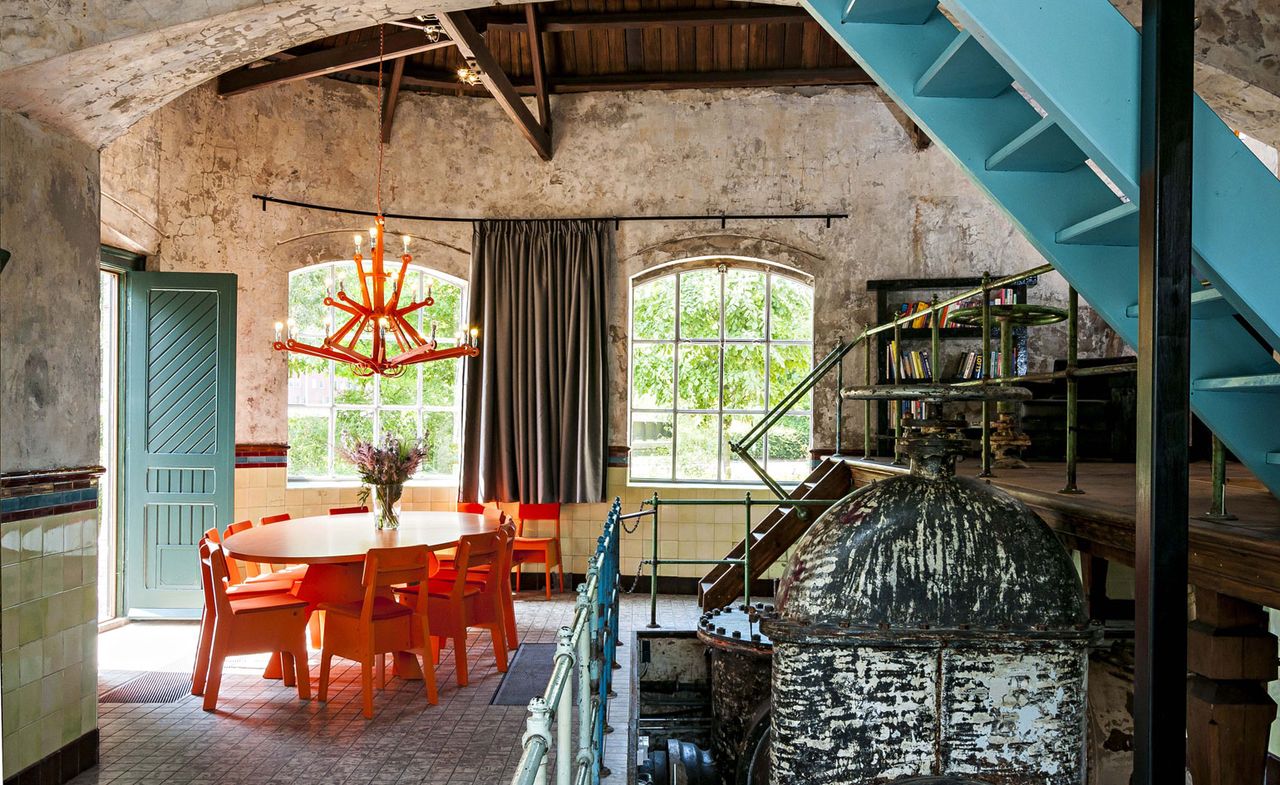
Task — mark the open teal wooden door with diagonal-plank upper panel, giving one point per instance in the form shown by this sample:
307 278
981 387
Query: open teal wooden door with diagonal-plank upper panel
180 423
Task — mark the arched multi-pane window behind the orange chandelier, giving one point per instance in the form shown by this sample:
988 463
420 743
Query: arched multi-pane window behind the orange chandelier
328 403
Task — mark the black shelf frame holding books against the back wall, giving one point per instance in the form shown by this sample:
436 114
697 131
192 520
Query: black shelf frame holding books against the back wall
890 294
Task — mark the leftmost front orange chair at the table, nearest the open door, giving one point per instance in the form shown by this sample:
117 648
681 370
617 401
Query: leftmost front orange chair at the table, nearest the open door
250 626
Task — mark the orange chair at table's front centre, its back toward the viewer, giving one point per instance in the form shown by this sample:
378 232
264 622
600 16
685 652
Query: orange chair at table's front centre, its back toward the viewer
368 629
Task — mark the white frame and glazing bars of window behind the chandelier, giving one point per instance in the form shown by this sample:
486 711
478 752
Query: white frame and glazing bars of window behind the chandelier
335 473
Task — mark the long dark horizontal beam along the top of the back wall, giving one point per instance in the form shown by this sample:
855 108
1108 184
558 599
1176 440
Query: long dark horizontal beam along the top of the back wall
816 77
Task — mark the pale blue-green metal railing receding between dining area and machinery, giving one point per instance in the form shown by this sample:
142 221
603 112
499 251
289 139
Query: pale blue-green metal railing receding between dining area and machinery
583 676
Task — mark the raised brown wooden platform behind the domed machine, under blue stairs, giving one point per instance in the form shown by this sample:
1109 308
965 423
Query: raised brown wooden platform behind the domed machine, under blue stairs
1240 559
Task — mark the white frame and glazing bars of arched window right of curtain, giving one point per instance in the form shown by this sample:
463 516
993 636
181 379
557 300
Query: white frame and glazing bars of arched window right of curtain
728 471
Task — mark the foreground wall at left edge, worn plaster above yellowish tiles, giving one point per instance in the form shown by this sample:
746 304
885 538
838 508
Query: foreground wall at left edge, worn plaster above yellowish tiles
49 392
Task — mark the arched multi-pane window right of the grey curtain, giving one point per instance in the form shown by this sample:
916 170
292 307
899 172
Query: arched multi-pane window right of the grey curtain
712 350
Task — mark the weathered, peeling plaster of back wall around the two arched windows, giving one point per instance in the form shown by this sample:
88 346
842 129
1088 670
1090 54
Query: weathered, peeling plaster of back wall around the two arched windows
912 214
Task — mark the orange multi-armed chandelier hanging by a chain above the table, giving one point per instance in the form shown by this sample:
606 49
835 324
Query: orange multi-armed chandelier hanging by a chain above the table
380 311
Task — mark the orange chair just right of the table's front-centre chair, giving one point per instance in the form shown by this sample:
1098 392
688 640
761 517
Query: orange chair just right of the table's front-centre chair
458 605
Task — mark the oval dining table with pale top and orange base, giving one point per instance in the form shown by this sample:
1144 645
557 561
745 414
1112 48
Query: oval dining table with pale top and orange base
333 549
